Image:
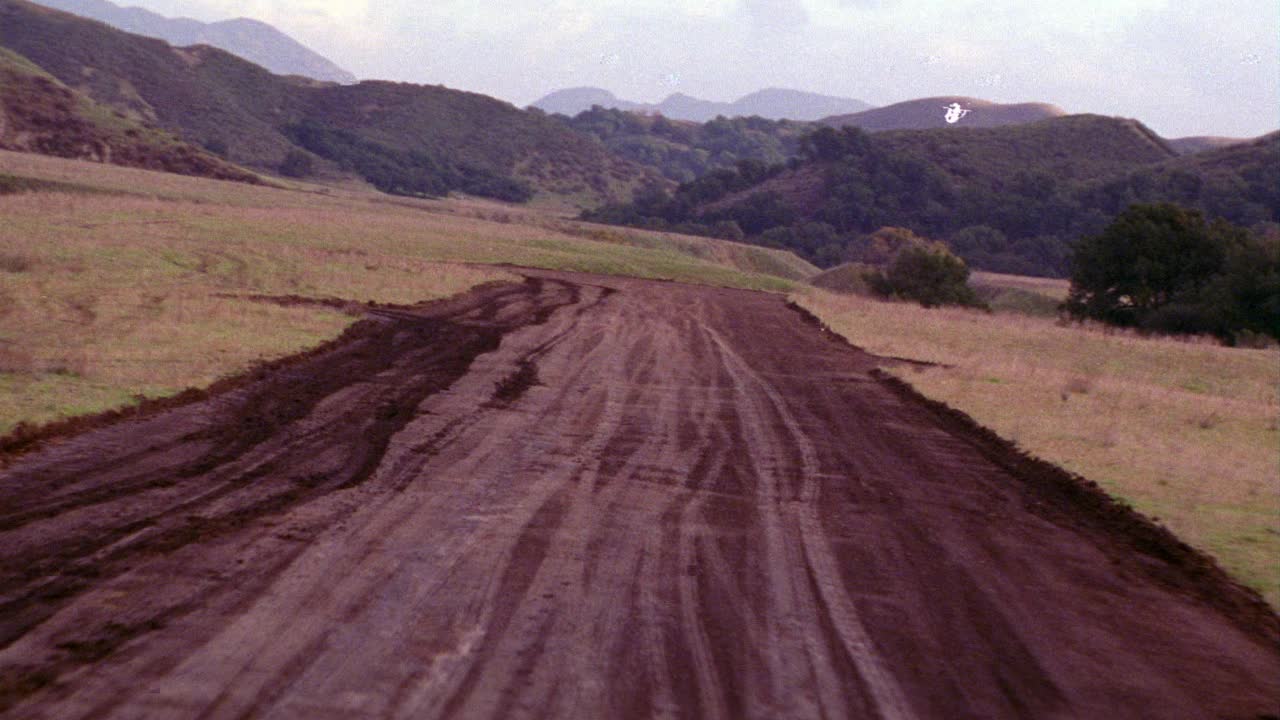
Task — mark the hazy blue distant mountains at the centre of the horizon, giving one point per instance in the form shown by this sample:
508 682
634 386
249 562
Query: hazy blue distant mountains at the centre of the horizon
775 104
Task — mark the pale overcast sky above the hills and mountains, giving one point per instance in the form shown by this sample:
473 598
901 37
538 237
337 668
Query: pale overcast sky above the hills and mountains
1185 67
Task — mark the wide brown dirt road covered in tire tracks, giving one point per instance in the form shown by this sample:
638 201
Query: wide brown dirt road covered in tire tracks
588 498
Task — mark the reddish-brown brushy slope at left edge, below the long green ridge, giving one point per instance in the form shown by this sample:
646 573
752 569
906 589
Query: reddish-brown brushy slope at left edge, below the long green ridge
40 115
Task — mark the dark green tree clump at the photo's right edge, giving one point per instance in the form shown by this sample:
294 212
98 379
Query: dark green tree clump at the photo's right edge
1165 268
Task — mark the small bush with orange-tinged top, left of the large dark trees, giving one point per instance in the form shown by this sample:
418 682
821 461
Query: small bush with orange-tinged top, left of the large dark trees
929 275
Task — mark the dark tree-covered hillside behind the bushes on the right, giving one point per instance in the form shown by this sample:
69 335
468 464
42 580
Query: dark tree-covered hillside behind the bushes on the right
1011 199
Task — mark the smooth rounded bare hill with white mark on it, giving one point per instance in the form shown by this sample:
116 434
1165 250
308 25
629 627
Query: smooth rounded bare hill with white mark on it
930 113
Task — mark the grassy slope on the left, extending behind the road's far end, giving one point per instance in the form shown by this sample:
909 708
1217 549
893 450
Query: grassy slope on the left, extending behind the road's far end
122 293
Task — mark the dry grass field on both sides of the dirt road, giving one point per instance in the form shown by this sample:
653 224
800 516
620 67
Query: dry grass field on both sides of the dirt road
120 284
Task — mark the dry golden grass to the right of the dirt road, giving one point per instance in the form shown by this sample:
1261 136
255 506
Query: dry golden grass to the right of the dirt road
1183 431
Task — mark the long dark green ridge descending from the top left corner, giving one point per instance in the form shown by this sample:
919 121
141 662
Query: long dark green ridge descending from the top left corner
245 113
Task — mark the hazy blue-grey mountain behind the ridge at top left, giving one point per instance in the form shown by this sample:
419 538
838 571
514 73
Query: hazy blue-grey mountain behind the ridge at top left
253 40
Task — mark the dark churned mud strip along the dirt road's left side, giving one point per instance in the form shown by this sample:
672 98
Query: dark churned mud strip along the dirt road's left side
263 454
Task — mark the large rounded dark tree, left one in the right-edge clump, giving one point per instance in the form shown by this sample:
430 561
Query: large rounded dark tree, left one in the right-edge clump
1149 258
